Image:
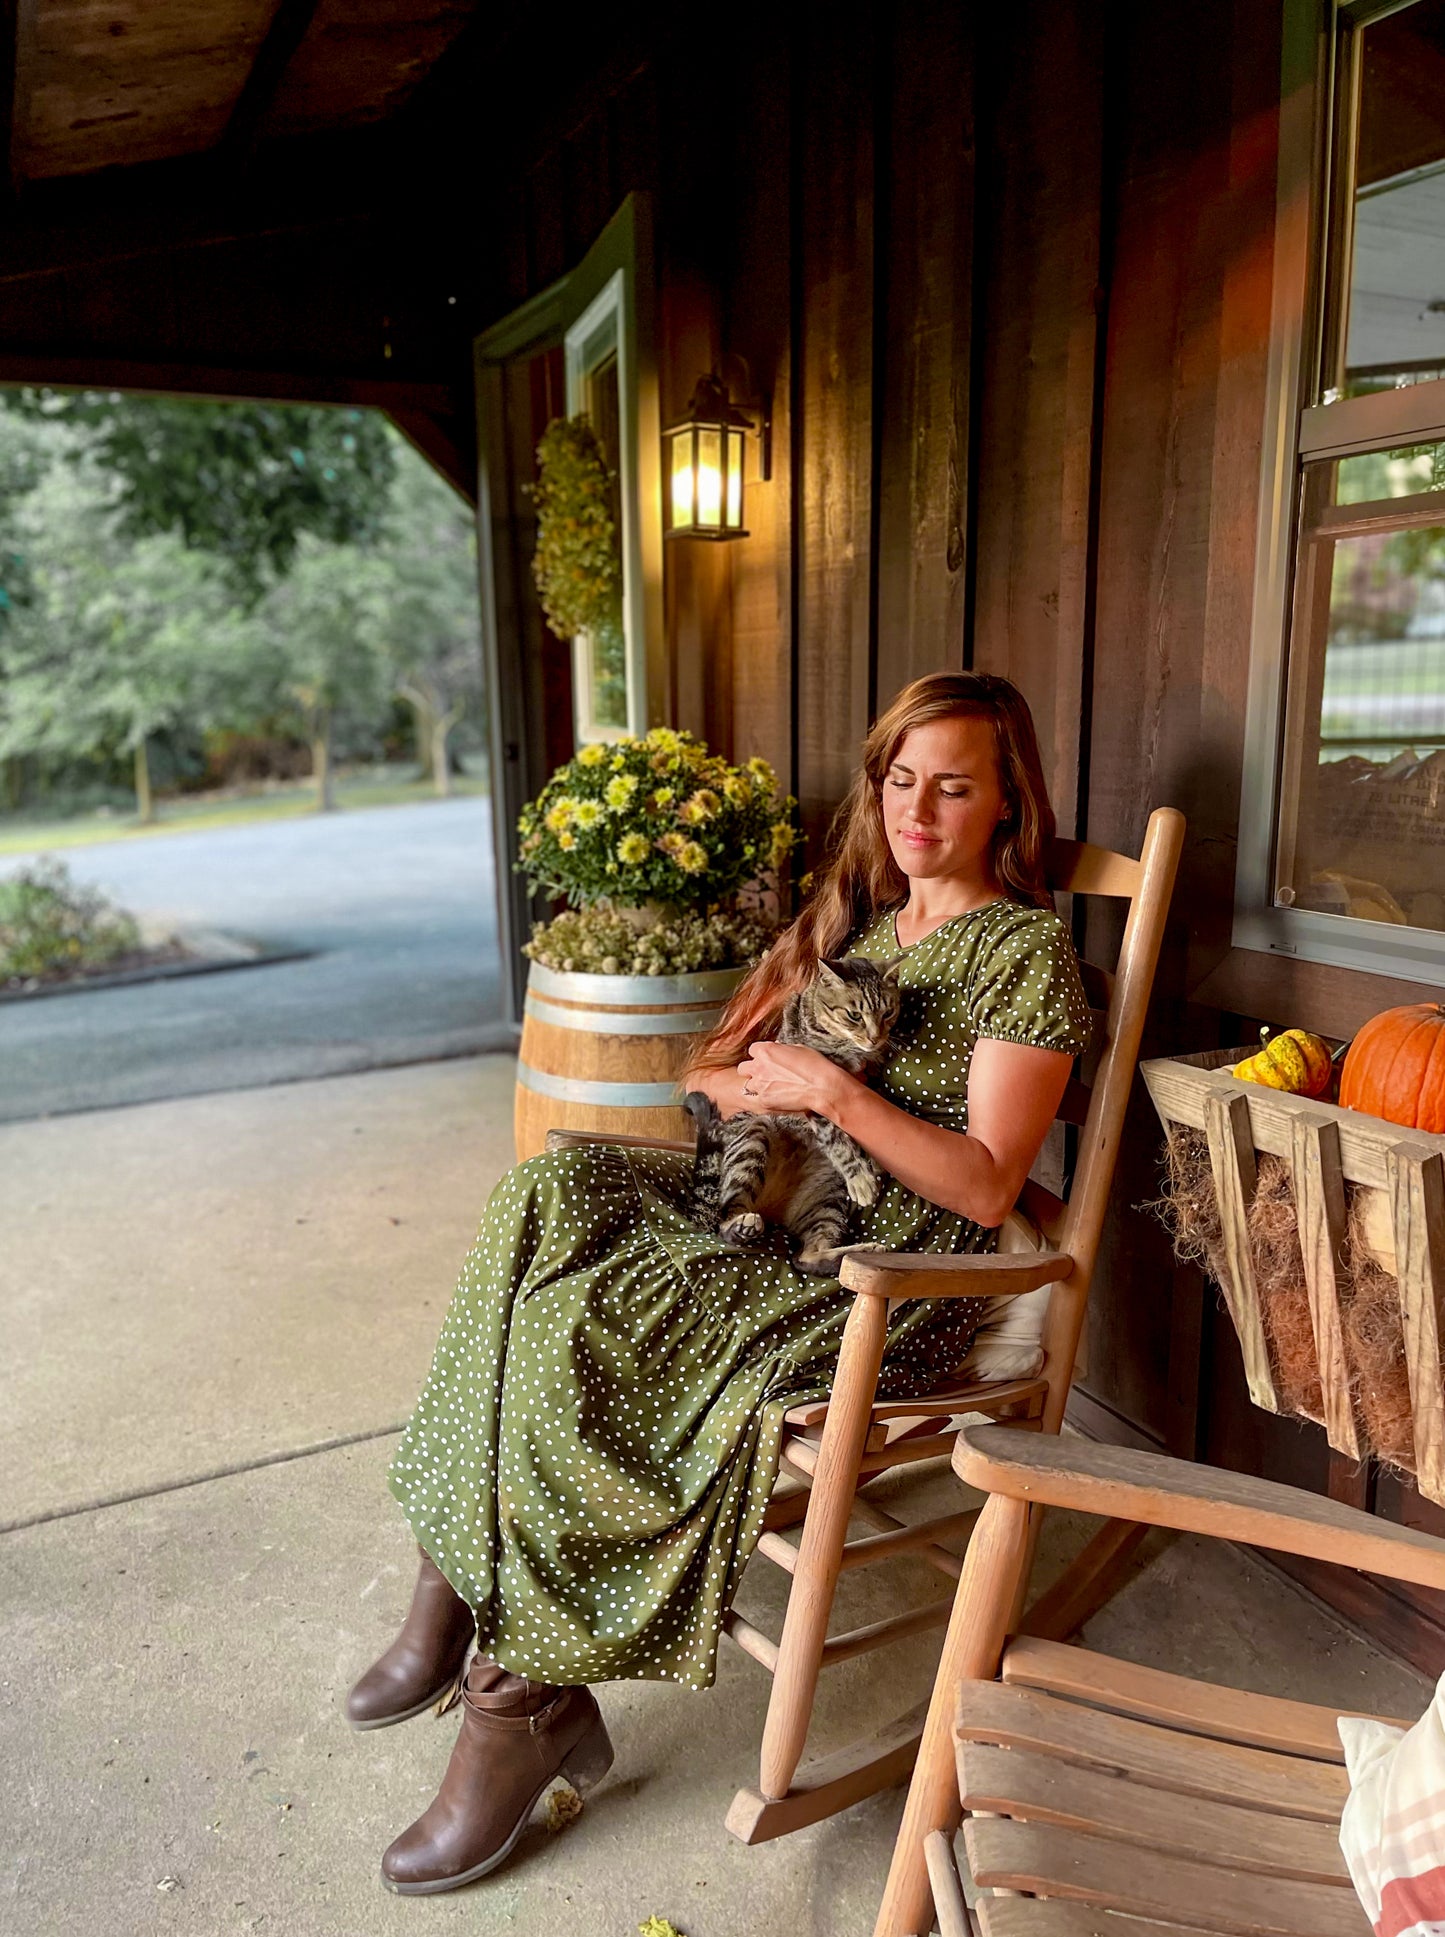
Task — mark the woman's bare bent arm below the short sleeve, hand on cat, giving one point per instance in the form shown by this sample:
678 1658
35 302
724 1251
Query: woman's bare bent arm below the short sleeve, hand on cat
1014 1093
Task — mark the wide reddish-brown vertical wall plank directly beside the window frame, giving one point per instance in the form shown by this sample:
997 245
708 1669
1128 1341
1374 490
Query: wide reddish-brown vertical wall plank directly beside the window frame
1179 487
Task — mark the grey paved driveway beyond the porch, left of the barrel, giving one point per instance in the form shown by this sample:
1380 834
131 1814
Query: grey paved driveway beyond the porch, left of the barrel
396 904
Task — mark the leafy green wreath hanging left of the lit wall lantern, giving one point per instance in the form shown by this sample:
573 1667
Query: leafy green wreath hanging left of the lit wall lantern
433 627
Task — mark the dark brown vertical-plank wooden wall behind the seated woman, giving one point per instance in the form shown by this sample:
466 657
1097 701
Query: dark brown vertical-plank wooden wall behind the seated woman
1006 278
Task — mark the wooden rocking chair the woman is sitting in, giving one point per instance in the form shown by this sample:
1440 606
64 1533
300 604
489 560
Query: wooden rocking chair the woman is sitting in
834 1448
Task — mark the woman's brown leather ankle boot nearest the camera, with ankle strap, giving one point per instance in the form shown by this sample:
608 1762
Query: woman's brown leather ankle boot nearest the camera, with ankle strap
516 1738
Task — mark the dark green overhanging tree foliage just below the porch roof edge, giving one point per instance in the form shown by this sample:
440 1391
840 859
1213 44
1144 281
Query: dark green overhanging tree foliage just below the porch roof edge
245 481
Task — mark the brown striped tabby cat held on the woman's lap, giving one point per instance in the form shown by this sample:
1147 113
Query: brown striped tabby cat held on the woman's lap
801 1173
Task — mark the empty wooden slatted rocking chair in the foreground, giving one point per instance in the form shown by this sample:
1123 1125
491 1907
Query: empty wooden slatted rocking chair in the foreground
1113 1797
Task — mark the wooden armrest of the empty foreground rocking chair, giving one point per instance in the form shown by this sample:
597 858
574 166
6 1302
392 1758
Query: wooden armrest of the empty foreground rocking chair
1155 1491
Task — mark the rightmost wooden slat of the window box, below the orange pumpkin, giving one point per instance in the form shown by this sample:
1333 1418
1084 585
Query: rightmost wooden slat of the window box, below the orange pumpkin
1417 1184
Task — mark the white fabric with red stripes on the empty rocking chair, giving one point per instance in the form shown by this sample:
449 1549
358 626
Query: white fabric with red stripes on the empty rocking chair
1394 1826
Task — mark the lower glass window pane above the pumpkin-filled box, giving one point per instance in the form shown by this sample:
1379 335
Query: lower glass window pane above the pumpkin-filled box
1365 809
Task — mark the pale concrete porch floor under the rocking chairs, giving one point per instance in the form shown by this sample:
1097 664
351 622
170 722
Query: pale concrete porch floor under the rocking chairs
218 1312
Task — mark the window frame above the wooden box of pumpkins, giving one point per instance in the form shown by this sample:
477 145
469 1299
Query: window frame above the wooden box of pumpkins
1314 218
